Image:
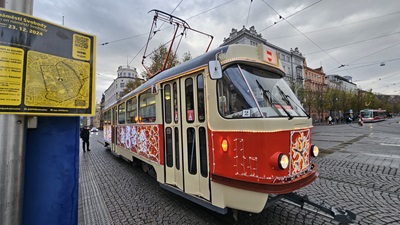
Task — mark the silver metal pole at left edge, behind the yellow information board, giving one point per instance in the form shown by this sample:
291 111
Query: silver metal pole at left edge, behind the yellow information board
12 149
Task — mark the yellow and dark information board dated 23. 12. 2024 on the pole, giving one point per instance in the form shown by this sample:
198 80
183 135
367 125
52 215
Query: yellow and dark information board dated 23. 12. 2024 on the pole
45 69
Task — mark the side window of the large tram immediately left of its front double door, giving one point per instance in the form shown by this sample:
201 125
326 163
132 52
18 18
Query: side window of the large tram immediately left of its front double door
147 107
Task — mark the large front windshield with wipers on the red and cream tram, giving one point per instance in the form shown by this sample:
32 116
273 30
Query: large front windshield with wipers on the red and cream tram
250 92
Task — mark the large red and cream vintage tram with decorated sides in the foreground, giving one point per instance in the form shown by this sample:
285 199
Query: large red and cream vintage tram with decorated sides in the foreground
223 129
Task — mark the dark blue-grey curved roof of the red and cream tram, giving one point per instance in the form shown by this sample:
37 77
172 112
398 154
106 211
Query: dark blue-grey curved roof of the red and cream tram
186 66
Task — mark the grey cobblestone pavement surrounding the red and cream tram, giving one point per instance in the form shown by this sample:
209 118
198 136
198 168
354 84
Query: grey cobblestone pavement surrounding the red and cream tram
359 171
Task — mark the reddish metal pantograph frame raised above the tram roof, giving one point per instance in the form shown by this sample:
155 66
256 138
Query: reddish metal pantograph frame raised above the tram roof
179 24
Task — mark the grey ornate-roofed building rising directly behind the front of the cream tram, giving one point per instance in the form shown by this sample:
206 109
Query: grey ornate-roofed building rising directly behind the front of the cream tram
291 61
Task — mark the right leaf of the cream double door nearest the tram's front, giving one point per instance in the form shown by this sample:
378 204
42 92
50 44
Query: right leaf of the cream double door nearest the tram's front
194 137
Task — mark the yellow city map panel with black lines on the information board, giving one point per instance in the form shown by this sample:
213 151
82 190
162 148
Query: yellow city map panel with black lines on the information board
56 81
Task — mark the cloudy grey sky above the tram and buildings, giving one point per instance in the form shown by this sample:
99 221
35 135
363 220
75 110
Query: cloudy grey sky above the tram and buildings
357 38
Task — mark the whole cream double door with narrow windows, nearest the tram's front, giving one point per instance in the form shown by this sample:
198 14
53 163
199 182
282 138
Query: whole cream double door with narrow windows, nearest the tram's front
186 157
